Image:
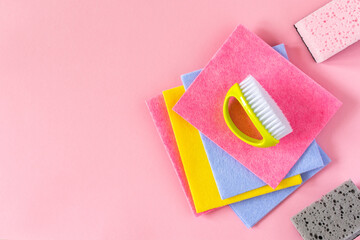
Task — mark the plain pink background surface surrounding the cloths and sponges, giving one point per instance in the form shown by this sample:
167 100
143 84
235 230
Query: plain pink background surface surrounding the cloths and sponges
79 155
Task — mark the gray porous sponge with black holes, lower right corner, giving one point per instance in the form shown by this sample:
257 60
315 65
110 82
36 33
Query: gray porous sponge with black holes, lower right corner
335 216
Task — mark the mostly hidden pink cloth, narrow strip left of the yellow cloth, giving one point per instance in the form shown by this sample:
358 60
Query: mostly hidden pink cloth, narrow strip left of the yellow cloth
162 122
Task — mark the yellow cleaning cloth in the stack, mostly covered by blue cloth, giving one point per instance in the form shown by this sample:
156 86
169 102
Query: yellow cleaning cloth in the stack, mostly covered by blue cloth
197 167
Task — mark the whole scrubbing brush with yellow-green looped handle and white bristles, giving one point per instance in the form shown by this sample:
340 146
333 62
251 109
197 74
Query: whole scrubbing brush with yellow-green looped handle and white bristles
261 109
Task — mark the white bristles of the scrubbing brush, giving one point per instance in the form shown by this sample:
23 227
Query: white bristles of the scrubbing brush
265 108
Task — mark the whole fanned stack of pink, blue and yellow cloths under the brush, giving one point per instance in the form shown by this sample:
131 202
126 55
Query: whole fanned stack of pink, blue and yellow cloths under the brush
215 167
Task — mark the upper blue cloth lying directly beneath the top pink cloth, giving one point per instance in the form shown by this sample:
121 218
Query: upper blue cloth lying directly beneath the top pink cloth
231 177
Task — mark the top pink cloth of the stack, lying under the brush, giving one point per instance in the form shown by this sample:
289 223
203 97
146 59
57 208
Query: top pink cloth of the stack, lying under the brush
306 105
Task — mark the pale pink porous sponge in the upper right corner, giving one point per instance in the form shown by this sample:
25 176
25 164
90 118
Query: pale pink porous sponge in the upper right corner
331 28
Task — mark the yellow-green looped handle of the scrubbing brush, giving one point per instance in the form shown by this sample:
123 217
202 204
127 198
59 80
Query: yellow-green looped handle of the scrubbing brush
267 140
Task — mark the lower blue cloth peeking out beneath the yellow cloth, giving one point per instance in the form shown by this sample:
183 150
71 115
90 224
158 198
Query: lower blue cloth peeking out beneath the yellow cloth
253 210
